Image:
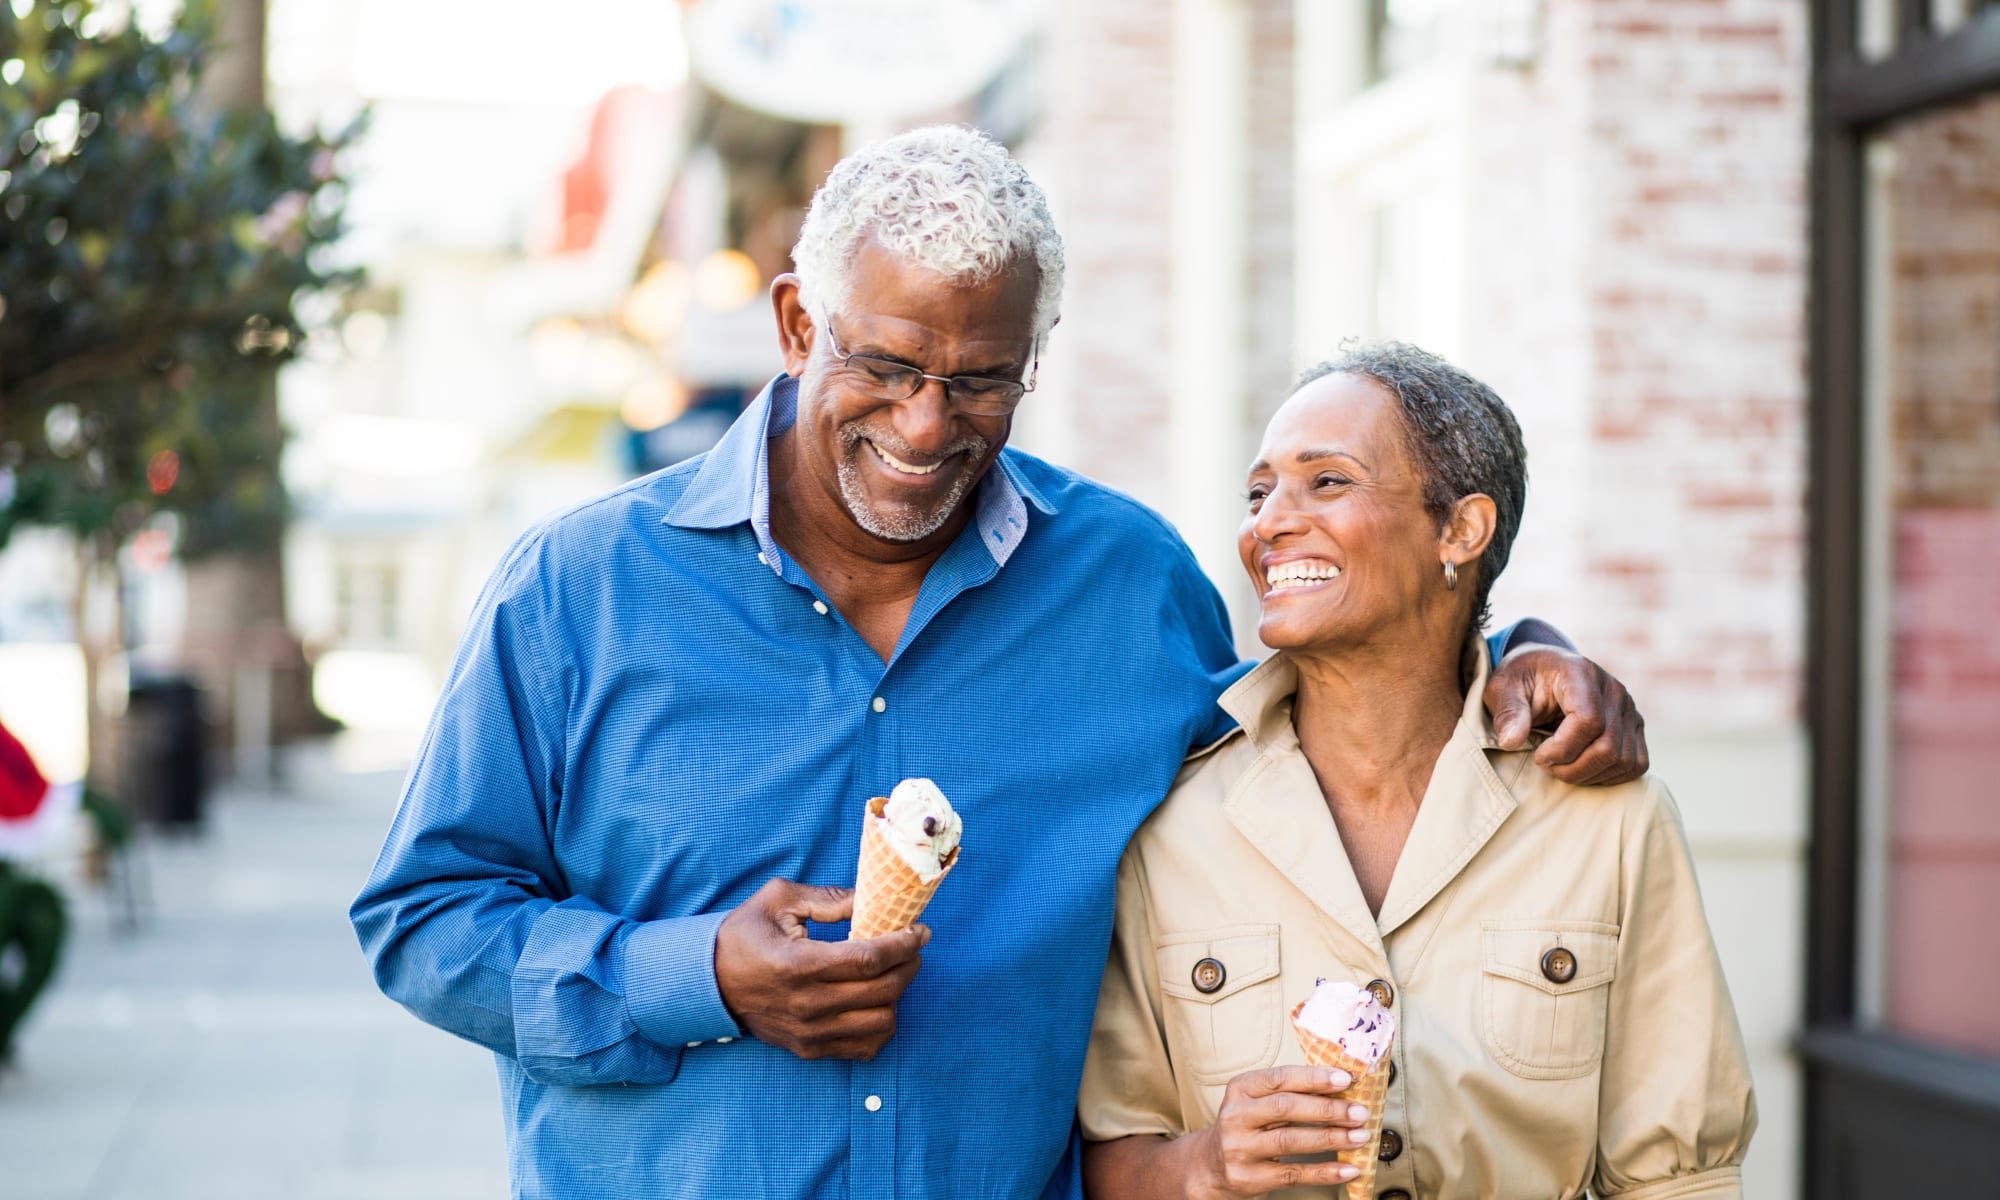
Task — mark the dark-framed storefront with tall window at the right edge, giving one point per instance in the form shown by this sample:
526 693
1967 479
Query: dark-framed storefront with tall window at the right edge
1903 1043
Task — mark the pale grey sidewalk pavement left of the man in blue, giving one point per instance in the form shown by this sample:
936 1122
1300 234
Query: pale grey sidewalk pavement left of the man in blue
235 1047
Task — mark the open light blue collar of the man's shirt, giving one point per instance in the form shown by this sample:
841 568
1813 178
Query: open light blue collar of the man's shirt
733 485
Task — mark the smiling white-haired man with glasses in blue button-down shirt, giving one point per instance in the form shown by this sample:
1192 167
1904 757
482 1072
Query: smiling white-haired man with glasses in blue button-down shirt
647 773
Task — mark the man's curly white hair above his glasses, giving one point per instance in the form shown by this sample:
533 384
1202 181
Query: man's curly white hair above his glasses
947 199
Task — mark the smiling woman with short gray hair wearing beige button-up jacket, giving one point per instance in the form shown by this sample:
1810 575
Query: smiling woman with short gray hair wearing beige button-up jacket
1563 1023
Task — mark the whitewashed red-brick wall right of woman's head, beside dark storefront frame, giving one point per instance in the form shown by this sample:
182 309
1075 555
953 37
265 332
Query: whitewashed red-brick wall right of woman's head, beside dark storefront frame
1639 295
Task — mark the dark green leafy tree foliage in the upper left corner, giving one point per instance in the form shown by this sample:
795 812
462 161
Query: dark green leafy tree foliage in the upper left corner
151 255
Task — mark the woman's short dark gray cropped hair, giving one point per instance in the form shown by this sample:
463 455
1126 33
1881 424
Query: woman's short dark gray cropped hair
1461 435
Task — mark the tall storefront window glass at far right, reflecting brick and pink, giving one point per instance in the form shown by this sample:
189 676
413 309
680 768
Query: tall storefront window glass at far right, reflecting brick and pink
1931 619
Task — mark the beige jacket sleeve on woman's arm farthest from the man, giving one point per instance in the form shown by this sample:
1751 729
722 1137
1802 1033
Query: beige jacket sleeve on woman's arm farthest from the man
1677 1107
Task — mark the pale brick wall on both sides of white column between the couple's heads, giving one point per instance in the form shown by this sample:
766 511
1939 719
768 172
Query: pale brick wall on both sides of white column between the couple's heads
1105 149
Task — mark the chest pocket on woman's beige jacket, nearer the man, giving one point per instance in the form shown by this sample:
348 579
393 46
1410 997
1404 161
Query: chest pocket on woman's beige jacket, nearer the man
1225 1005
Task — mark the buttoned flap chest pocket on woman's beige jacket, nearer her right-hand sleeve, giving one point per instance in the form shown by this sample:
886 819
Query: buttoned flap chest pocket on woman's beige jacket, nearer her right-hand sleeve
1543 1011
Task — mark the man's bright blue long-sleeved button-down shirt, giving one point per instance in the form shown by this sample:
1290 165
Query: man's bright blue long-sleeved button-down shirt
655 713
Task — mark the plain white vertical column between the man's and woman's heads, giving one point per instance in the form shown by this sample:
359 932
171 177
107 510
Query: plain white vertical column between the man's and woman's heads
1211 195
